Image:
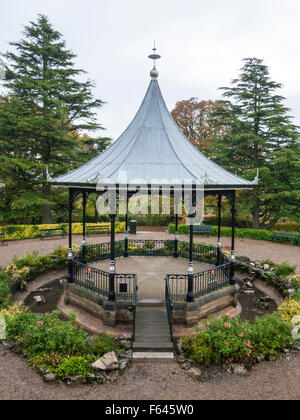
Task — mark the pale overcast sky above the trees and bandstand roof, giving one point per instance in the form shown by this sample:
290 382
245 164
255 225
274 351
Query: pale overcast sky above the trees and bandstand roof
201 42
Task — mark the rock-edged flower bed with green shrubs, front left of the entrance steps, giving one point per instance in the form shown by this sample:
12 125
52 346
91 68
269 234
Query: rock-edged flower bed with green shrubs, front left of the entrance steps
59 350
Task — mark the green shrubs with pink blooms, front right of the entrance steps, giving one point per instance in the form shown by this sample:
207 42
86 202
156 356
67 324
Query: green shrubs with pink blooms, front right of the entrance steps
230 340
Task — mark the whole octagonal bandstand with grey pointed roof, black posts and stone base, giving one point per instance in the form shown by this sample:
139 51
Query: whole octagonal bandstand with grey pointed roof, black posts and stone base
152 155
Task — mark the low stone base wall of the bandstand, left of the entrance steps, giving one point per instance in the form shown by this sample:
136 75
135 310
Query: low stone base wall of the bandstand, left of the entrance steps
110 313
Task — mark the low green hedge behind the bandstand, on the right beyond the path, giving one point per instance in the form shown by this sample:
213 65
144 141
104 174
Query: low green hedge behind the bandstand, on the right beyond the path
264 235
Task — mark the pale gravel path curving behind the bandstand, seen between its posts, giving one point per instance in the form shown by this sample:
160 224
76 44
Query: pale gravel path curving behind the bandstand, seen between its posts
256 250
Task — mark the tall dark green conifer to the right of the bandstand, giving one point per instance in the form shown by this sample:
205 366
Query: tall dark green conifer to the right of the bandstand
260 136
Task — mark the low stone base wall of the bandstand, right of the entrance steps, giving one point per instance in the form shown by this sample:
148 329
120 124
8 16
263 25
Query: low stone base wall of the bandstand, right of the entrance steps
191 313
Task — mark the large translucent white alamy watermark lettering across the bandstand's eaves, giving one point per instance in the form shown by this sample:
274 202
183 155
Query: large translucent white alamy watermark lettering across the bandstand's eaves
157 197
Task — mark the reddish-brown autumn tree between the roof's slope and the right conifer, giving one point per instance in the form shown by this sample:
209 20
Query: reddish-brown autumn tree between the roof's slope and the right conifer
194 119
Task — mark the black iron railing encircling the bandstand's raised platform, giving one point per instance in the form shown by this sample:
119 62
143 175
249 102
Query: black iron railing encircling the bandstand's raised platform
98 280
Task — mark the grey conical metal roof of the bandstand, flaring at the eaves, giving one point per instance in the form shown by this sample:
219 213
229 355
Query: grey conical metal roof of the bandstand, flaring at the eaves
154 150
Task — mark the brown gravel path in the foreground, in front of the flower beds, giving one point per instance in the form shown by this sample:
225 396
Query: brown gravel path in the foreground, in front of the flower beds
156 381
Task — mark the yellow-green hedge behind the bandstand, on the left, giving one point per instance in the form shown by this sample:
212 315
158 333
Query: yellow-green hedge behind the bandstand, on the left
17 232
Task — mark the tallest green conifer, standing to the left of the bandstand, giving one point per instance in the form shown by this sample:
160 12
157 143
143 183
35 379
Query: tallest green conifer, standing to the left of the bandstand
41 118
